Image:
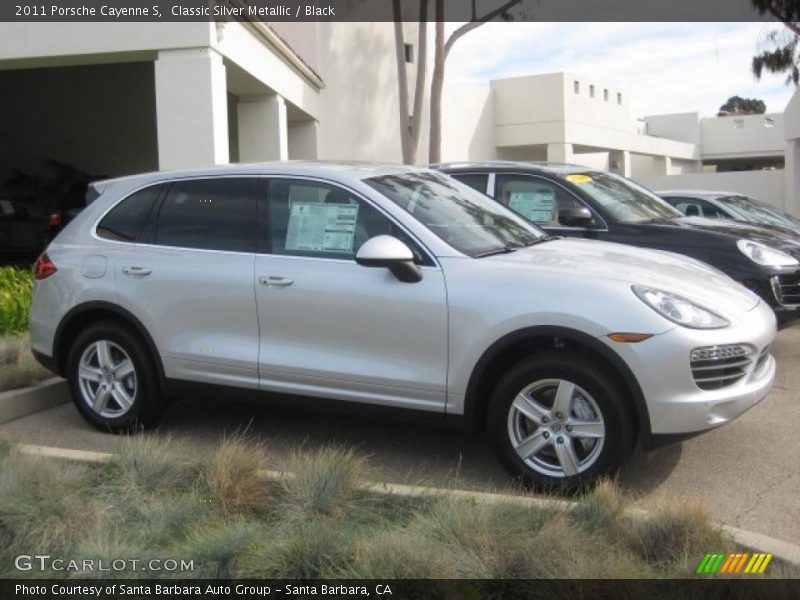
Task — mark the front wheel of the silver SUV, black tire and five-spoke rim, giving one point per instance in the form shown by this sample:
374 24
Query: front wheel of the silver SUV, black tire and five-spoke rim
606 397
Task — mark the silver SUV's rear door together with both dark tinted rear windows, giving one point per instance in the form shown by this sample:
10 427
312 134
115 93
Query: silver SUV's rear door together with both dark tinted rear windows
189 275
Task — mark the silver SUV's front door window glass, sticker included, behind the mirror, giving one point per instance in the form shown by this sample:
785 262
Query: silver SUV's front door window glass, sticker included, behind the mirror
308 218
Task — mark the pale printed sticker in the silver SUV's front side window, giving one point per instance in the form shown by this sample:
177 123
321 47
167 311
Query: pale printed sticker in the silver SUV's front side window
319 227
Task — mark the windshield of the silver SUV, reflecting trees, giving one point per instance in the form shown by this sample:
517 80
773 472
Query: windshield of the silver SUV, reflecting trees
467 220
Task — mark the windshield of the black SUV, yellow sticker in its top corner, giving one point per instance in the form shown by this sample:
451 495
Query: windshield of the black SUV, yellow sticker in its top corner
622 199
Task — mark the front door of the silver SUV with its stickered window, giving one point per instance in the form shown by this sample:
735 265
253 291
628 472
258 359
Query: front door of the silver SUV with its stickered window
332 328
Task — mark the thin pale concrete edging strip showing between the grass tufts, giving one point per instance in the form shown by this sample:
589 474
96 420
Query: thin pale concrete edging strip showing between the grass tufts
756 542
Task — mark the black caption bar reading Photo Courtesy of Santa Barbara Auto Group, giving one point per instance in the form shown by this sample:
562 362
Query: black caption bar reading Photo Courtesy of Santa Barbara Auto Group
701 587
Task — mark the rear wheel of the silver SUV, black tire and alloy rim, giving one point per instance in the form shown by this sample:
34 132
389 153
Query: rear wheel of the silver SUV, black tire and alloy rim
112 379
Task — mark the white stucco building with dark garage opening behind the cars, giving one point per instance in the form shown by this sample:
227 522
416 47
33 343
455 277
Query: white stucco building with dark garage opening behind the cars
116 98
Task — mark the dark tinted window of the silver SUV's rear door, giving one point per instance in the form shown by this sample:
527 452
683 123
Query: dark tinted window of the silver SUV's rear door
209 214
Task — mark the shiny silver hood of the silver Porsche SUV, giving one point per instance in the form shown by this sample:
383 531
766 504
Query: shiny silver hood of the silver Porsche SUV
628 265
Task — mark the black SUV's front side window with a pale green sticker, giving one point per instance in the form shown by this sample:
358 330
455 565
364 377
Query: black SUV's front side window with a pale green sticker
538 200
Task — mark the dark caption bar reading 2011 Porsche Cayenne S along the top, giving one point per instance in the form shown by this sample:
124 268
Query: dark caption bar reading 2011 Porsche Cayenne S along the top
375 10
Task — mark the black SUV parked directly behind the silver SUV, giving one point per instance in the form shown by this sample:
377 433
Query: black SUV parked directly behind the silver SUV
571 200
